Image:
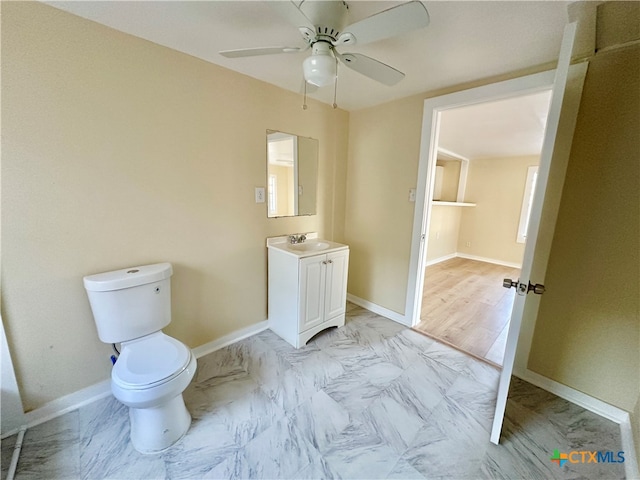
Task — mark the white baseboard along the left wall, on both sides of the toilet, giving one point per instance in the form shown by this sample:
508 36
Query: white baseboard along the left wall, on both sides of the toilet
101 390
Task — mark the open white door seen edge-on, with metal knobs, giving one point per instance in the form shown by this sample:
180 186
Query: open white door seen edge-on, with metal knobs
566 88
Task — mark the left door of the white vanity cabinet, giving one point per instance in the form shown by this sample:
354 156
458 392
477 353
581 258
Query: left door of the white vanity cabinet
313 272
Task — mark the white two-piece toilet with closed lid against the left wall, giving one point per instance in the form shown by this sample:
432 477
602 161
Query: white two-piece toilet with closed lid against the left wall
130 307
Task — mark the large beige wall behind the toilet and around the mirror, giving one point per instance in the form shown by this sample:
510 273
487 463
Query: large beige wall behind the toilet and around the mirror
118 152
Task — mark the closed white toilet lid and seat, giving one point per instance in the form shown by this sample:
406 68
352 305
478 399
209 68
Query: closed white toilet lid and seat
150 361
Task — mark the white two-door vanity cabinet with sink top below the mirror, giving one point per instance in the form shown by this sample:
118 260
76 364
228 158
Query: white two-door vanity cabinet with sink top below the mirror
307 290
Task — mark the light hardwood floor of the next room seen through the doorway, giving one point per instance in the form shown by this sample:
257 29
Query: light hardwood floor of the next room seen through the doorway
465 305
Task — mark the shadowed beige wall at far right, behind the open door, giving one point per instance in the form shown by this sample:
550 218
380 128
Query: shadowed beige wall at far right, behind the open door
587 335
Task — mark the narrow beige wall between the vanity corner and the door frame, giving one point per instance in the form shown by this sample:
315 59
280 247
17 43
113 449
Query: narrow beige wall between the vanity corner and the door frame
384 143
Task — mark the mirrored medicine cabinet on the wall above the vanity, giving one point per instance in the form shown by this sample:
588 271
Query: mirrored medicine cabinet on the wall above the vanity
292 174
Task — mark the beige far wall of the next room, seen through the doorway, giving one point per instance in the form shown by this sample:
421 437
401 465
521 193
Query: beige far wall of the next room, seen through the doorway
496 186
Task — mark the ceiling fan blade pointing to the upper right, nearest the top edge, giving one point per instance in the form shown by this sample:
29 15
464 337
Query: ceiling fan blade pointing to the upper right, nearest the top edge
388 23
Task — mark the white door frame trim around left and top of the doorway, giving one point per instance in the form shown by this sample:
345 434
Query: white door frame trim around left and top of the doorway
517 87
